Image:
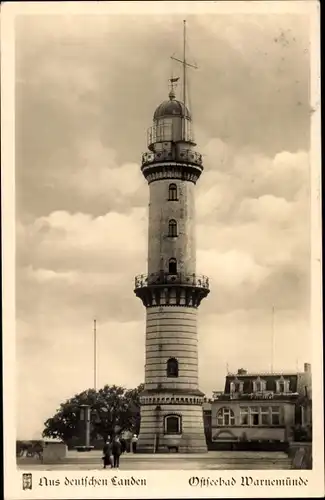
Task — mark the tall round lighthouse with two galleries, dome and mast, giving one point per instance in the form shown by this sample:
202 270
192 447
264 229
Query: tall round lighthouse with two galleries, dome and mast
171 290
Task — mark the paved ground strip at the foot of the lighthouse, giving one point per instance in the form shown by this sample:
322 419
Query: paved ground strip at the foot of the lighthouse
220 460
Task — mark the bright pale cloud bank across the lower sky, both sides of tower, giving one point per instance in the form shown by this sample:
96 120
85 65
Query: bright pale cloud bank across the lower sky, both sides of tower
77 266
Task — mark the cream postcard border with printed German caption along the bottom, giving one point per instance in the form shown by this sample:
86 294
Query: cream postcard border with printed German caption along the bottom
160 484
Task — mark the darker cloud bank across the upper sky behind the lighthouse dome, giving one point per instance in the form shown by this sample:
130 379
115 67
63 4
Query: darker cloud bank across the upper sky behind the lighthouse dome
91 109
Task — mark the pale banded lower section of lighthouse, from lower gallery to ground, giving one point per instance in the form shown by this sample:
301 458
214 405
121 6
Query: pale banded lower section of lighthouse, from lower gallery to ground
171 411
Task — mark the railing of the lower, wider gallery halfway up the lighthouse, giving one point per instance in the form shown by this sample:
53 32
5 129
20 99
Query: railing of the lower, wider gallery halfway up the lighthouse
162 278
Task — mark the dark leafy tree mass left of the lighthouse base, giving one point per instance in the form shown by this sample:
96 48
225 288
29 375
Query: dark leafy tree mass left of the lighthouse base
113 409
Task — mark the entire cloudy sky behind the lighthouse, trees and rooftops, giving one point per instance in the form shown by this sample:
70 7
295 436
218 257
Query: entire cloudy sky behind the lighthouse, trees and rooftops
86 90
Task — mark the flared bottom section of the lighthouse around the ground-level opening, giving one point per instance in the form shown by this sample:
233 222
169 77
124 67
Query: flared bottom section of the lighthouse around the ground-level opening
172 428
